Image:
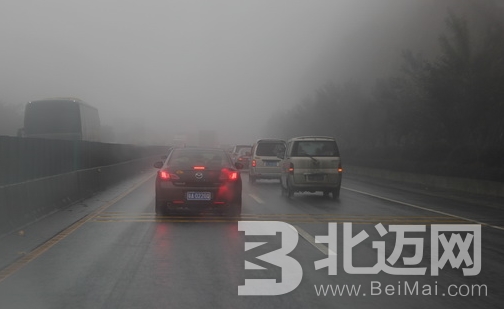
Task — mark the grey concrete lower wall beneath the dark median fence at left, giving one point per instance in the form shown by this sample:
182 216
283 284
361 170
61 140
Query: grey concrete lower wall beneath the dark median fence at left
26 202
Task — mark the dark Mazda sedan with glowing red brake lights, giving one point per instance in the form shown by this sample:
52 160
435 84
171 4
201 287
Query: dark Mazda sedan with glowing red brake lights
198 179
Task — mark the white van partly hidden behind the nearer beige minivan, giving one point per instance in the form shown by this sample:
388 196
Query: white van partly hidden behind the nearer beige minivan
264 163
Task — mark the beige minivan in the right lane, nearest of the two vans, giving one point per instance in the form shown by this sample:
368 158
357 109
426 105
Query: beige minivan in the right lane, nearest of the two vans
310 164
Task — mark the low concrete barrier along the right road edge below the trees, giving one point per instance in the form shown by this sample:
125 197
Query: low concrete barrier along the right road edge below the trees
483 187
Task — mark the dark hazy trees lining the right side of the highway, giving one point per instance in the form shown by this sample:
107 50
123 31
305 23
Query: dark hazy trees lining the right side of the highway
442 115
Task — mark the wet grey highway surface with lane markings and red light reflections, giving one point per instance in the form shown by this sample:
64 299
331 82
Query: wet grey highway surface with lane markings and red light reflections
122 256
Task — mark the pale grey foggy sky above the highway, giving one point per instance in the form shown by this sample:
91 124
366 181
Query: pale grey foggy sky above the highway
179 66
